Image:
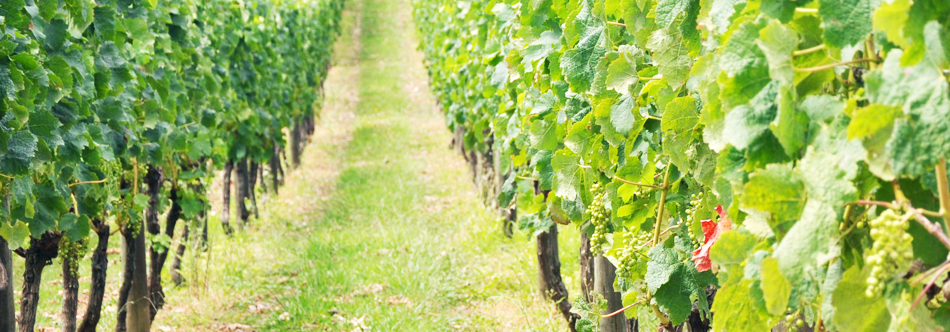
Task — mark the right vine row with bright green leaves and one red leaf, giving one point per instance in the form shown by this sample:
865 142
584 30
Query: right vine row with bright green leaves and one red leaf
734 165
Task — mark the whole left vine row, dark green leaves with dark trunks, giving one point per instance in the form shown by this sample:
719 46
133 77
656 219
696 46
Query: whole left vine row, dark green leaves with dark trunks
116 114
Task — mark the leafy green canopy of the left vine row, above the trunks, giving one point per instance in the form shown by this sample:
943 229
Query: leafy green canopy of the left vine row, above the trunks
93 91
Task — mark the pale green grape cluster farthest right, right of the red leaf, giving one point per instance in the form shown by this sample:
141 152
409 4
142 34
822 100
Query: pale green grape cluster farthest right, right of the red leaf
891 251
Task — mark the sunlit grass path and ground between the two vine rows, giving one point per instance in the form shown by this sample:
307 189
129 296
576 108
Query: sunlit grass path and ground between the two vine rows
380 226
